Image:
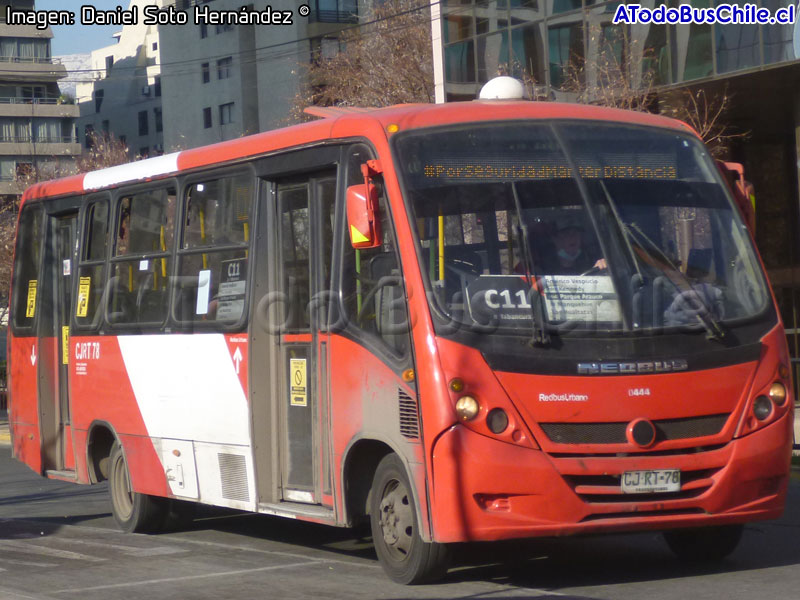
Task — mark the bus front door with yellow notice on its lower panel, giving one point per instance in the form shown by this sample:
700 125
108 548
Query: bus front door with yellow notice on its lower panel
304 226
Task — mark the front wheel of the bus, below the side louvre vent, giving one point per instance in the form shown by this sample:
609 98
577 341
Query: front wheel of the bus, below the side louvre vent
403 554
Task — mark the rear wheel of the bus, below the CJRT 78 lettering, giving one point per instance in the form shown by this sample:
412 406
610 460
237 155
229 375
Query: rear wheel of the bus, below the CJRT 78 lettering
133 512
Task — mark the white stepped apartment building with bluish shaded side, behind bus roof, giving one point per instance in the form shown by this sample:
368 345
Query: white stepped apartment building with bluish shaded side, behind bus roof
124 96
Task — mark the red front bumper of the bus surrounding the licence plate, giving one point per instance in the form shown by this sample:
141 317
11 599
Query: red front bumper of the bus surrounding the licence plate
484 489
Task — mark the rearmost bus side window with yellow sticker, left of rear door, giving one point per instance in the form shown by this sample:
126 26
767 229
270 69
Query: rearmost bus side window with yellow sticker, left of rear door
26 266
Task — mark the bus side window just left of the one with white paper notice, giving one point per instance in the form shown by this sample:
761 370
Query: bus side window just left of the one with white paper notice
140 268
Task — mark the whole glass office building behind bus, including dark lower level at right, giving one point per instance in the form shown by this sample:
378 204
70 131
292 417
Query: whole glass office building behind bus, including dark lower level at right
756 67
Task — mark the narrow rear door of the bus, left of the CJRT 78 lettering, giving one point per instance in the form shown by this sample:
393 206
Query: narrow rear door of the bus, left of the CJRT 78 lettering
54 331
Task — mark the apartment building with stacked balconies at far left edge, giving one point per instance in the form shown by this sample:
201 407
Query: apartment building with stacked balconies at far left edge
37 128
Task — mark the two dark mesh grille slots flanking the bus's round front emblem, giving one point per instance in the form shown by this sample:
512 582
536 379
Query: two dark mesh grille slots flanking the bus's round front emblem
614 433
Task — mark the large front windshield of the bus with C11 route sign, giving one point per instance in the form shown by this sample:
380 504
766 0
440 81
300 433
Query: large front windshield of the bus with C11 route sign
574 226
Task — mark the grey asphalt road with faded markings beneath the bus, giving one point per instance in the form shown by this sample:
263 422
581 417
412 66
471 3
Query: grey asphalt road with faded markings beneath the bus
58 541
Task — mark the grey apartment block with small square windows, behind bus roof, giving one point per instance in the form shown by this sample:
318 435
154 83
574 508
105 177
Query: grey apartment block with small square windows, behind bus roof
224 81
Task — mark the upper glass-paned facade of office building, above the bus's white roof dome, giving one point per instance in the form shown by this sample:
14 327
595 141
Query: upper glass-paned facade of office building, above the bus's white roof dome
546 38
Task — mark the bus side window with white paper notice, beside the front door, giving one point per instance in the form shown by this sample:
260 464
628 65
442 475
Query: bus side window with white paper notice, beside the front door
213 259
